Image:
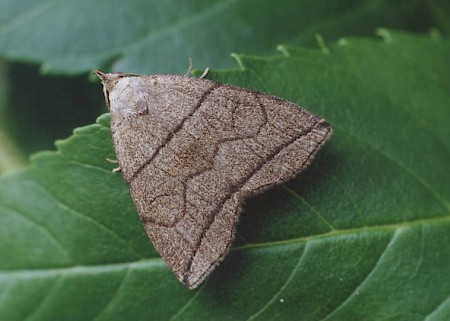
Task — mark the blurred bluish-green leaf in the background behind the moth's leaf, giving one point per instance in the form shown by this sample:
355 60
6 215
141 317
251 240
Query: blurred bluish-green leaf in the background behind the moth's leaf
159 36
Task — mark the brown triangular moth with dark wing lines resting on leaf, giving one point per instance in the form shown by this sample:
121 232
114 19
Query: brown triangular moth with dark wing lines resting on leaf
191 150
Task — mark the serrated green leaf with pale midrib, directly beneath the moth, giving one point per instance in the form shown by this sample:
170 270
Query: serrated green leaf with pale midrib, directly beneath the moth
362 234
